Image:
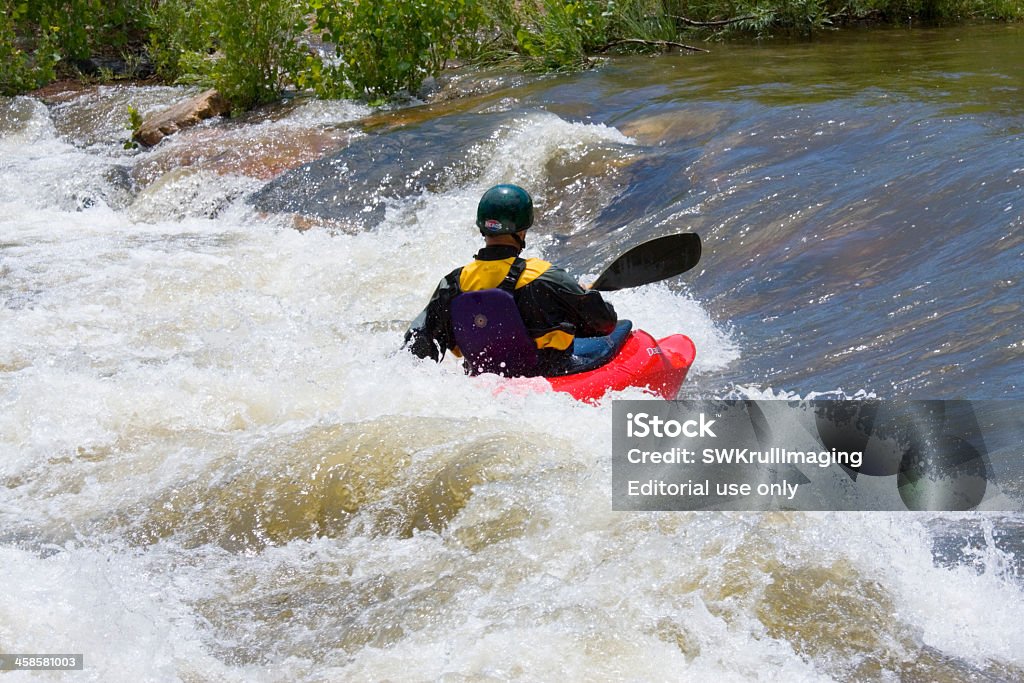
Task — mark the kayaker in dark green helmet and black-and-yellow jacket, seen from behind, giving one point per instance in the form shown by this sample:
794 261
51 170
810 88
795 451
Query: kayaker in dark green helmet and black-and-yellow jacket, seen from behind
553 307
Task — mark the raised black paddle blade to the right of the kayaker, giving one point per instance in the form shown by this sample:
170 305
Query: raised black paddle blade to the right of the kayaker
651 263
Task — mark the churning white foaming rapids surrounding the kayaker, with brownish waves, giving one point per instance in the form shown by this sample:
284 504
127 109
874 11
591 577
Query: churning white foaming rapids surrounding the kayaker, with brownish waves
217 464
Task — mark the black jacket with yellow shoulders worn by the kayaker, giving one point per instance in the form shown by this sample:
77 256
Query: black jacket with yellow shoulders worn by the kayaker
553 307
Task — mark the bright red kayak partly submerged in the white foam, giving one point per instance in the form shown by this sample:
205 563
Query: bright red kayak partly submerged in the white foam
659 366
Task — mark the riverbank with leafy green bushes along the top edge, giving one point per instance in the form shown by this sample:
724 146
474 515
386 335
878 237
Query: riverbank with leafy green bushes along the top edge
253 52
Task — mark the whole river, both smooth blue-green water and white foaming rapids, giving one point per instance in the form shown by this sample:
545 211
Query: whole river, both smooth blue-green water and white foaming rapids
217 465
